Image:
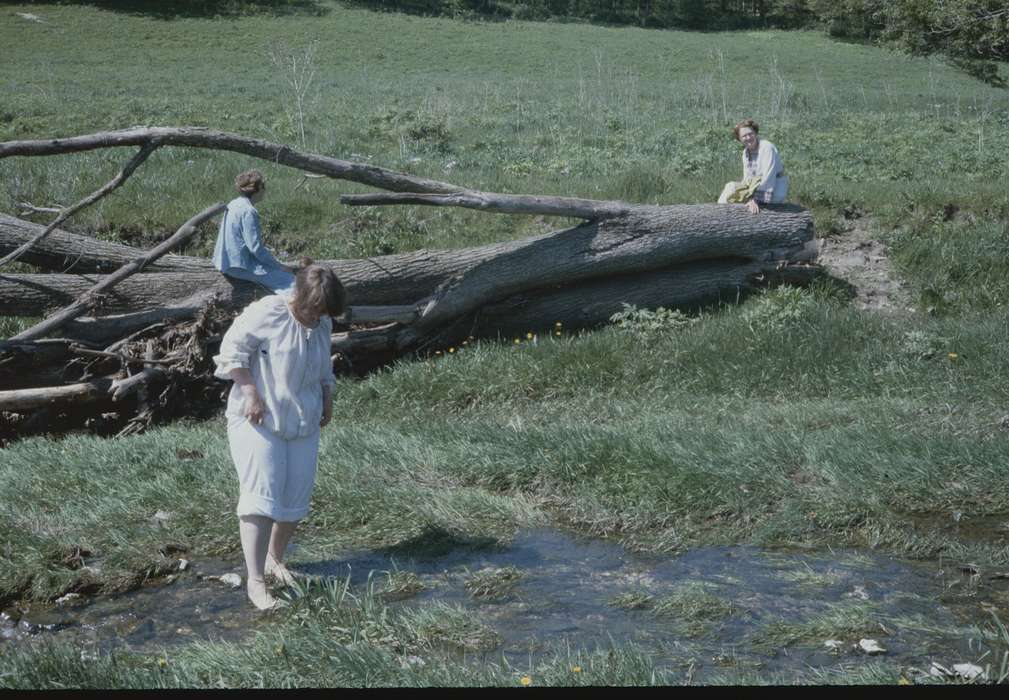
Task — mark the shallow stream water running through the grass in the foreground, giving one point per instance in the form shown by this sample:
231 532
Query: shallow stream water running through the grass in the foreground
710 608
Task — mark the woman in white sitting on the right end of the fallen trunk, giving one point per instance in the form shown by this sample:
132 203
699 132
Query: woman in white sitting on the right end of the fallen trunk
764 177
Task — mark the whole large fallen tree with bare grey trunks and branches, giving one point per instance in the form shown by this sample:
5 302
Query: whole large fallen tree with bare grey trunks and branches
160 327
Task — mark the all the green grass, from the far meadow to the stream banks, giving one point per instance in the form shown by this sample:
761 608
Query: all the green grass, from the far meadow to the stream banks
792 421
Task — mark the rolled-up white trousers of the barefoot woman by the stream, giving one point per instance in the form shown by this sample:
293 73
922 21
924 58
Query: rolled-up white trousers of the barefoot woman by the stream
276 477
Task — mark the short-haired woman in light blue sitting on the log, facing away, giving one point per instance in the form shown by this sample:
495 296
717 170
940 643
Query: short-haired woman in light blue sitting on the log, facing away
240 252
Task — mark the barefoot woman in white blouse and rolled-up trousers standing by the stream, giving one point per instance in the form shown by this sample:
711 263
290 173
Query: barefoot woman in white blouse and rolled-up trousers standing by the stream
278 354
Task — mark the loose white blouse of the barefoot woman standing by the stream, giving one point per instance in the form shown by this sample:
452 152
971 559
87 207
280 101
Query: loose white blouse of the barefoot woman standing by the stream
290 365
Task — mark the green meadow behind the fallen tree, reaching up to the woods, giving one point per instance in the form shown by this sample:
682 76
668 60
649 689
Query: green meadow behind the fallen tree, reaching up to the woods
511 107
